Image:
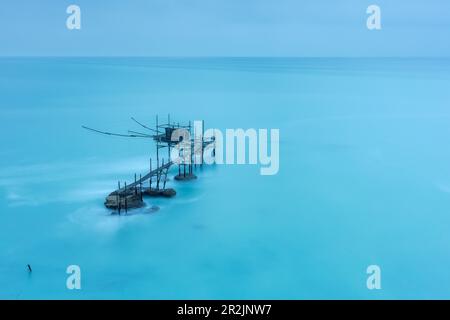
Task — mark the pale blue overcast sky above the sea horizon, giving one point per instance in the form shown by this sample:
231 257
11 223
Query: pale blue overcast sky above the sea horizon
225 28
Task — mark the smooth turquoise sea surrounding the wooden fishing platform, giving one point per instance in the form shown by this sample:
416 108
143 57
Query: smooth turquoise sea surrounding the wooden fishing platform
364 179
